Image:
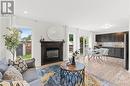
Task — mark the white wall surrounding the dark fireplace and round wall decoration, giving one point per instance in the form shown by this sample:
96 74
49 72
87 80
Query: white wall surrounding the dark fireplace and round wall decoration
39 28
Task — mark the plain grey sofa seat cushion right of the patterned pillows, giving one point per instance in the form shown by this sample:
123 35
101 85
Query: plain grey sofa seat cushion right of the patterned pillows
30 75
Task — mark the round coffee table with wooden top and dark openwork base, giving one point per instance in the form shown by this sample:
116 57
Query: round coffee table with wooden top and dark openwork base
72 75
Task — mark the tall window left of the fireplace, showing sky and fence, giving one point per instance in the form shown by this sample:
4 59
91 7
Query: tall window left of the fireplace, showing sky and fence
25 47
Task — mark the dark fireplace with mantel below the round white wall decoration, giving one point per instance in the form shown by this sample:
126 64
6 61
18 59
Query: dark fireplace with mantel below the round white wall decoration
51 51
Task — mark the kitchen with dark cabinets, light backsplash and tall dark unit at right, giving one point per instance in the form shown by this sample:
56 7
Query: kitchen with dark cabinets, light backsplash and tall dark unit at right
117 43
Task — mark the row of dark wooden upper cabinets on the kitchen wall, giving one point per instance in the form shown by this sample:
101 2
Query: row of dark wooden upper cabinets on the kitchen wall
112 37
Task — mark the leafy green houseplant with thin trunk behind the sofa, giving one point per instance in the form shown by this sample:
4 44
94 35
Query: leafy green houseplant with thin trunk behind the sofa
12 39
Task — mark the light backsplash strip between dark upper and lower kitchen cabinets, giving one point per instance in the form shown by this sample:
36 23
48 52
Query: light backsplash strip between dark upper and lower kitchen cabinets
111 44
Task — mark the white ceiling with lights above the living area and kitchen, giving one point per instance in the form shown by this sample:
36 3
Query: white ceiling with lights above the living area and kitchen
91 15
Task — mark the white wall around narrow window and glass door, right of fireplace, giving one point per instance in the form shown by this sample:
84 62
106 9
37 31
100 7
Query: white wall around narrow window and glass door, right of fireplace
77 34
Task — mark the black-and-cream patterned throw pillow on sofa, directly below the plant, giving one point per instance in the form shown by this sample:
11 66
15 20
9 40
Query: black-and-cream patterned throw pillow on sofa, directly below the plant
19 64
